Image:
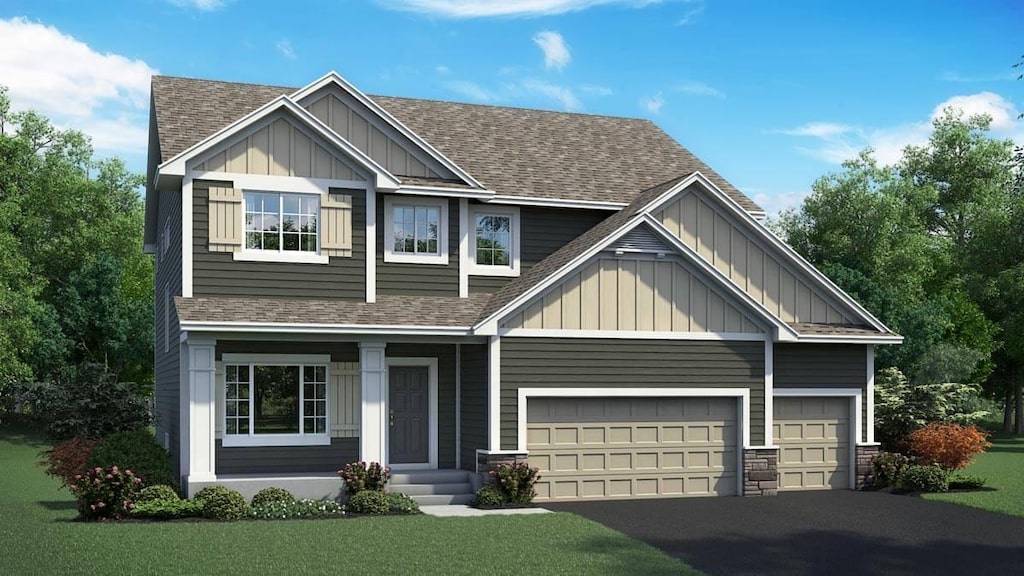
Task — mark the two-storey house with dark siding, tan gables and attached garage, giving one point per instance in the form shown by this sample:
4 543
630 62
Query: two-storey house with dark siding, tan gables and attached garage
444 286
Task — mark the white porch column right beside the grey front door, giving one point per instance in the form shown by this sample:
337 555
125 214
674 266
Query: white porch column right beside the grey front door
373 377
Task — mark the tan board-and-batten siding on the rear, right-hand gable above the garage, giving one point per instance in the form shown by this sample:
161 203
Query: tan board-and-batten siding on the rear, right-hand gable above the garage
706 227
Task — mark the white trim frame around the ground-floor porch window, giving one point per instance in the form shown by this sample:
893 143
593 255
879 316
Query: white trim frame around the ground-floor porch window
232 441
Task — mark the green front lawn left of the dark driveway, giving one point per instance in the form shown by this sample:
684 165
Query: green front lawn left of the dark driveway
40 537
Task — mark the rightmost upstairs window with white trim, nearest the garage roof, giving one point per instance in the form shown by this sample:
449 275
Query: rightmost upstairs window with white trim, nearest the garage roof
494 249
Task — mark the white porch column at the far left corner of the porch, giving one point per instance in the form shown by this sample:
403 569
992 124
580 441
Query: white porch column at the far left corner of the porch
198 431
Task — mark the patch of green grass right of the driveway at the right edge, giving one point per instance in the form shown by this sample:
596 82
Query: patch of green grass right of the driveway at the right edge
1003 468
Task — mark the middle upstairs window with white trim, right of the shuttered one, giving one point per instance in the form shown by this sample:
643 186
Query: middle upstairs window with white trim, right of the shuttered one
416 231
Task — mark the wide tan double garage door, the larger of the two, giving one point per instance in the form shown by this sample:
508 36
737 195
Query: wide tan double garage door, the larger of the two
606 448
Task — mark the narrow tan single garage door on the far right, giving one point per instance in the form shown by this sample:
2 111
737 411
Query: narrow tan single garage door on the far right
814 439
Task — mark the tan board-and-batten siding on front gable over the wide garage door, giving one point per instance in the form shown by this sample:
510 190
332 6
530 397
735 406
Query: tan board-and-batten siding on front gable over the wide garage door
634 295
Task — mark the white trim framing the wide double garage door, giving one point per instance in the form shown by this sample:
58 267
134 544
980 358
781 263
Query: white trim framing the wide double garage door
743 409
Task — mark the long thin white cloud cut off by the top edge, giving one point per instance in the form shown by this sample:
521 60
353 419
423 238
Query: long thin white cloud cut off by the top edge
486 9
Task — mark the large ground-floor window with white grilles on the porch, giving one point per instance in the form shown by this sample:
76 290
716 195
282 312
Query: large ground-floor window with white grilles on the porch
276 403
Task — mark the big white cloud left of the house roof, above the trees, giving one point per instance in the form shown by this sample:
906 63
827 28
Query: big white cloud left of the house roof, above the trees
105 96
